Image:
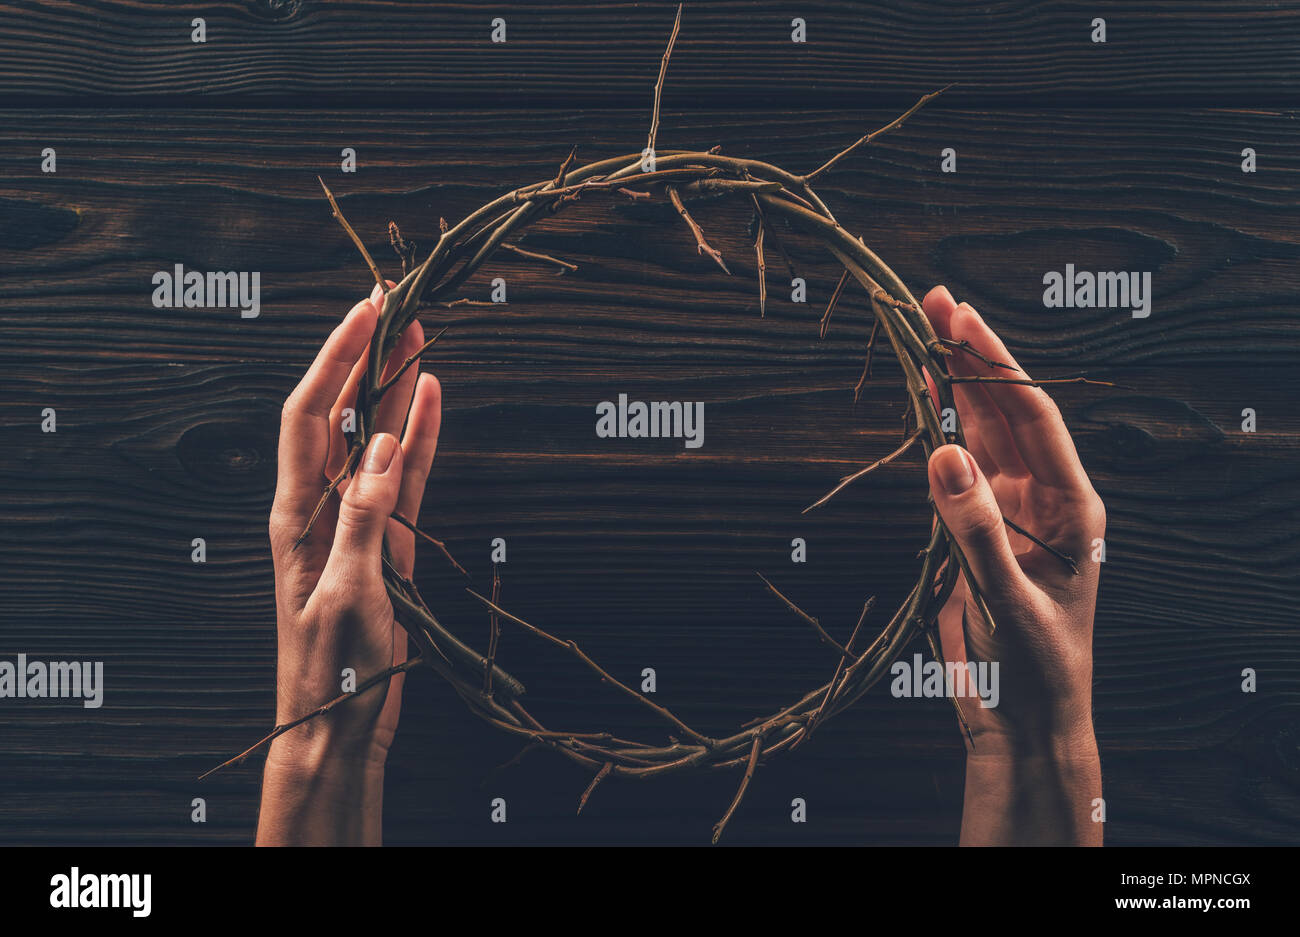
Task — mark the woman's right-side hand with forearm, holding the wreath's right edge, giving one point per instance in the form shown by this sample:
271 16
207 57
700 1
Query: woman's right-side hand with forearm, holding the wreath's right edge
1034 773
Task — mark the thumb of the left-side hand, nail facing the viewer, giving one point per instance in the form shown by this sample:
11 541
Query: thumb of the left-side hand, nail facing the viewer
363 517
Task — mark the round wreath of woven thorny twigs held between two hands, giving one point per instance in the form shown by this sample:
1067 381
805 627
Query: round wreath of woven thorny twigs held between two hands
677 176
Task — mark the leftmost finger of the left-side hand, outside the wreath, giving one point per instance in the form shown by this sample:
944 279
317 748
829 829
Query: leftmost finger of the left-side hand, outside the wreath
305 420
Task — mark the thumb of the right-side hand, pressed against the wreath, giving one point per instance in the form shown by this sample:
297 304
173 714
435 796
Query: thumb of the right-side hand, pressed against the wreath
970 513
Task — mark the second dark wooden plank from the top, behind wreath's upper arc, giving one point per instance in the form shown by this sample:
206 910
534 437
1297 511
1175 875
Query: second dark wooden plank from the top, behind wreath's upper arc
1034 190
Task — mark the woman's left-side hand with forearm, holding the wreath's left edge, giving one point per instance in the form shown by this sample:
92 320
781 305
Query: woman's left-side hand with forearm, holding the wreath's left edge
324 780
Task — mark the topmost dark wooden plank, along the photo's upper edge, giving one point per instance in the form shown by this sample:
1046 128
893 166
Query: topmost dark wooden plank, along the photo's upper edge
731 55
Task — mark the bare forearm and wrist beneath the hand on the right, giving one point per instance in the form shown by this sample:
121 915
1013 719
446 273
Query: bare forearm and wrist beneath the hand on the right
1035 797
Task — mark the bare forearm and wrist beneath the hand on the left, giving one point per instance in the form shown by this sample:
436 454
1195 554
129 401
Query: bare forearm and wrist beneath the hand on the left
320 795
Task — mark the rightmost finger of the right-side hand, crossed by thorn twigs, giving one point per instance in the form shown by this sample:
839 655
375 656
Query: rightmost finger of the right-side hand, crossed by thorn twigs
1033 420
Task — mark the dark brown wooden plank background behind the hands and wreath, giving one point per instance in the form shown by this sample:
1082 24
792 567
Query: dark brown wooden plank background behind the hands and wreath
1113 158
